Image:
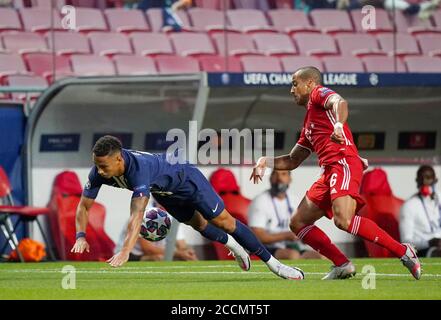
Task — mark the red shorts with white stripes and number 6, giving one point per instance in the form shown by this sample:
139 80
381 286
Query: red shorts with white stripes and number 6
338 179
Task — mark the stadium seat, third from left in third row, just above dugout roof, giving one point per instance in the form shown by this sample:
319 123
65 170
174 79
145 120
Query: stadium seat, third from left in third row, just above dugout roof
92 65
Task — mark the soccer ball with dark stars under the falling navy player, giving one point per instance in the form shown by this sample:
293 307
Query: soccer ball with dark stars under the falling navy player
155 225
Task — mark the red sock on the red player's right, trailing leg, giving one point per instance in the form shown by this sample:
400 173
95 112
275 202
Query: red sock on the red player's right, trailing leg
369 230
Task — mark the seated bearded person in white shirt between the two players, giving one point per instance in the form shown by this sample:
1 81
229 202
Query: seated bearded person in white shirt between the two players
269 215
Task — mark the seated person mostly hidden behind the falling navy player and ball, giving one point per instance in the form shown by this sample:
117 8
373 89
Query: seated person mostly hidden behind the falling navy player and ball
145 250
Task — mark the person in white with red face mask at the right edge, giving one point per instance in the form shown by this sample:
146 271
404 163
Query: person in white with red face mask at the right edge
420 216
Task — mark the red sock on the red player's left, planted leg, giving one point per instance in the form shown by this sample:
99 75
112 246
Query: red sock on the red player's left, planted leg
321 243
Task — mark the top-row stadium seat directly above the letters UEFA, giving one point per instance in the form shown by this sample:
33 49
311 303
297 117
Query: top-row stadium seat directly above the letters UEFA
249 20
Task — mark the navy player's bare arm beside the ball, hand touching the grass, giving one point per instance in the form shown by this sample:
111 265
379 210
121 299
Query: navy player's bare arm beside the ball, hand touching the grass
137 208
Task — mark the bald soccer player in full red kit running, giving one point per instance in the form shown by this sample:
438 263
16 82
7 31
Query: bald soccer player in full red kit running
336 193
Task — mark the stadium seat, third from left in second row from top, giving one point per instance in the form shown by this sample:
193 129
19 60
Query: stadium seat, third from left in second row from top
109 43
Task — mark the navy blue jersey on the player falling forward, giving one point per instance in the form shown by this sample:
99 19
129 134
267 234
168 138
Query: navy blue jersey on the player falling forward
144 173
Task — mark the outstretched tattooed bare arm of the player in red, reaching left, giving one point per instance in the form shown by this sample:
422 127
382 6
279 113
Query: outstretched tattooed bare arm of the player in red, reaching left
286 162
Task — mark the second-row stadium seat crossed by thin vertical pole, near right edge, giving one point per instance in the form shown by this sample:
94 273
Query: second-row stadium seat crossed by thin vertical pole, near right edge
405 44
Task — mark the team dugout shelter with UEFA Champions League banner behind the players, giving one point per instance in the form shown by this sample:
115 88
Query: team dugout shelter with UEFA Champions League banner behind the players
396 120
